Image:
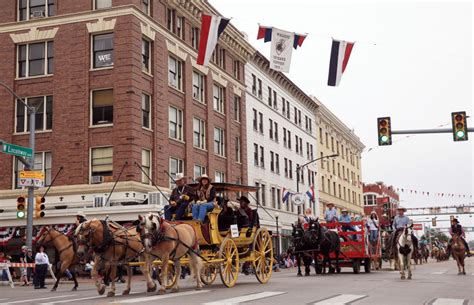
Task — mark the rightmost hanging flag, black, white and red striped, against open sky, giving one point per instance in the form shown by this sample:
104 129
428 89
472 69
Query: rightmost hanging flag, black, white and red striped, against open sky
340 53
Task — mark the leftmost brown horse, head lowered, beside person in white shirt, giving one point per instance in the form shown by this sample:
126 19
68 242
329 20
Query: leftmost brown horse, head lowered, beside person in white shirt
66 248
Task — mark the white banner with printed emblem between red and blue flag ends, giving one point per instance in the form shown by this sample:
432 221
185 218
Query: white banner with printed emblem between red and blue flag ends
281 48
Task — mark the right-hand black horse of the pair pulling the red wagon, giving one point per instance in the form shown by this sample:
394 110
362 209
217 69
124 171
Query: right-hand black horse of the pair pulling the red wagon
326 242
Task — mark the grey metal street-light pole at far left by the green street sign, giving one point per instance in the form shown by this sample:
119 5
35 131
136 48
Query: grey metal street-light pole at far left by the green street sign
29 165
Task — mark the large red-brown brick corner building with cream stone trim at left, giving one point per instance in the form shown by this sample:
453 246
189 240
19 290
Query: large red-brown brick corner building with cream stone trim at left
117 85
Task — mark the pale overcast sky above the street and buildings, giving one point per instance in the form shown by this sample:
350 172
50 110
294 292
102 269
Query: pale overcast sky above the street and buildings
418 72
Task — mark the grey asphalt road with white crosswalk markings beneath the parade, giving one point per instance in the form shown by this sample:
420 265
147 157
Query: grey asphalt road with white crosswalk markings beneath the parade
432 283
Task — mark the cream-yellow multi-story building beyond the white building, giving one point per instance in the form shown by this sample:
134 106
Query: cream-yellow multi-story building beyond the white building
339 178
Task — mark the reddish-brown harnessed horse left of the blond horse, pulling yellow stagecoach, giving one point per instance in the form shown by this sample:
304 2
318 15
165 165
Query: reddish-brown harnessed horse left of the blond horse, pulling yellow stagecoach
112 245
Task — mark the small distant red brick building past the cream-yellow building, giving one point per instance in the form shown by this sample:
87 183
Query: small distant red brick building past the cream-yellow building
380 198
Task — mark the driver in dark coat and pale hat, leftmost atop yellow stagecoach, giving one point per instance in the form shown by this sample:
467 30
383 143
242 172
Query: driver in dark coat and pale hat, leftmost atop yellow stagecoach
180 198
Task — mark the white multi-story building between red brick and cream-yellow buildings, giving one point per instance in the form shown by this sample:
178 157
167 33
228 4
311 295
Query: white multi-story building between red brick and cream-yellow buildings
281 125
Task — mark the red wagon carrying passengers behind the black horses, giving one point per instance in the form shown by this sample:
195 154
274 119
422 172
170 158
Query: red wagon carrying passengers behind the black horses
356 249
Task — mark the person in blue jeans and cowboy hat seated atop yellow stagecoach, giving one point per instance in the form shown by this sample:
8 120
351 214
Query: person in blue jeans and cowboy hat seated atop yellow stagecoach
206 195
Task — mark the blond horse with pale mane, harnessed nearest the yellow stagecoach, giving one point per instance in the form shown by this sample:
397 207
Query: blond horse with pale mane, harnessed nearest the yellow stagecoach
169 241
